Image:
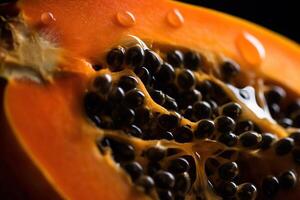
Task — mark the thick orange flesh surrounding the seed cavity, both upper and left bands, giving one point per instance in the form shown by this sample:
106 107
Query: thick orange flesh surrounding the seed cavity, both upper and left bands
55 156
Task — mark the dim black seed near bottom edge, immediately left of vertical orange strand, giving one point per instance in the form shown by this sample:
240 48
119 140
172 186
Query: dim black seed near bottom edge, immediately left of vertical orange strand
182 183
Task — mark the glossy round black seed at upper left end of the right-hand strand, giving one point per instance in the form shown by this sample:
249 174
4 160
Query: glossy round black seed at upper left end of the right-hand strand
186 79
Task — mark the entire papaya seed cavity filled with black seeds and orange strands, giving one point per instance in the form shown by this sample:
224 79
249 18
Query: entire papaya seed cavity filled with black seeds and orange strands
189 125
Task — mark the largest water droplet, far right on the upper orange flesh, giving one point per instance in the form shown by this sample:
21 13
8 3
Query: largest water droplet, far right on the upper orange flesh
250 48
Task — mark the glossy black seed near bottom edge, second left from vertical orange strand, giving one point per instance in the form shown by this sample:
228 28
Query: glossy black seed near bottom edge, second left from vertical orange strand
164 179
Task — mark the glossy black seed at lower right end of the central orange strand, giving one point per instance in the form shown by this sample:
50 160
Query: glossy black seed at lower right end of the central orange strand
204 128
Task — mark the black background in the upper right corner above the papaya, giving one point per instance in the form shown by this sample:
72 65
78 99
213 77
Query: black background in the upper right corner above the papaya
280 16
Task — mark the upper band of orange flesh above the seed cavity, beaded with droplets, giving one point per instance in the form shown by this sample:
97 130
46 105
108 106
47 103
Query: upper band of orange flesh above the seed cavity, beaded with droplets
202 29
